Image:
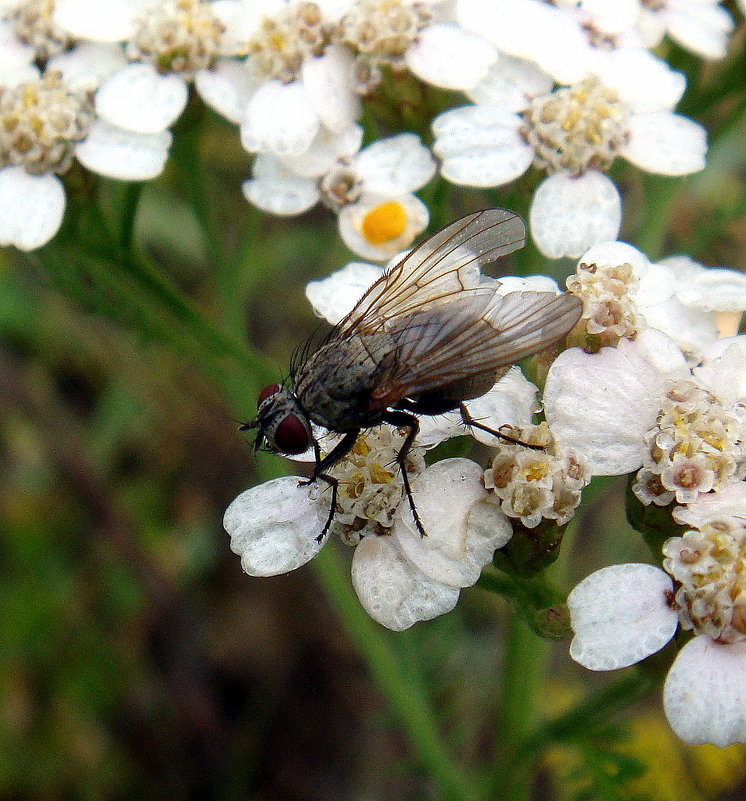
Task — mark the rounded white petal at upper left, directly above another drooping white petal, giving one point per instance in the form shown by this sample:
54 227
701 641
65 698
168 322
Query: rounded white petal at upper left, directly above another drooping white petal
138 98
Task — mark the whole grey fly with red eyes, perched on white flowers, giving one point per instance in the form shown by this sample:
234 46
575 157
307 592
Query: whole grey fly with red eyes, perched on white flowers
424 338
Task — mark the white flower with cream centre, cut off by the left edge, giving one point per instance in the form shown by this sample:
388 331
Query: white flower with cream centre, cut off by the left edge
44 124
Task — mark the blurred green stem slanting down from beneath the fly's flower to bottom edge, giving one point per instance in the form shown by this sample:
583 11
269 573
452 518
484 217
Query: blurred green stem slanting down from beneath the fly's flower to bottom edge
406 700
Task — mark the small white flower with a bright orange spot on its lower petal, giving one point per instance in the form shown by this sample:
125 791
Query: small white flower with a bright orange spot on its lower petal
372 190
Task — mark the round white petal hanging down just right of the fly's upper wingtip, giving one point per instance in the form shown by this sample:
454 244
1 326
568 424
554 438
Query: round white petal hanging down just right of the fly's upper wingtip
570 214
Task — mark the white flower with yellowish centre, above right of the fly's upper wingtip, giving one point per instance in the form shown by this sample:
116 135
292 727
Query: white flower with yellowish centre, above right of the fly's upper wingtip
574 133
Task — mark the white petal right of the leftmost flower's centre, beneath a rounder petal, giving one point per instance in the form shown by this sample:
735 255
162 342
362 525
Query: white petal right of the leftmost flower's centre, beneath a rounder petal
124 155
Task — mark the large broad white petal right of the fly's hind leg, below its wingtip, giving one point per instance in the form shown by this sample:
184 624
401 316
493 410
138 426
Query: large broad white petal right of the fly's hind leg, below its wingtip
602 404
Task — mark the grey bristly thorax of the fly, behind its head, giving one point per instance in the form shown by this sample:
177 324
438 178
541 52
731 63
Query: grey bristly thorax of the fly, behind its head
336 382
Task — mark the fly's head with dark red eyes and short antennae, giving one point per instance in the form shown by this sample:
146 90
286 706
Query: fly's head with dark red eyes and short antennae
282 423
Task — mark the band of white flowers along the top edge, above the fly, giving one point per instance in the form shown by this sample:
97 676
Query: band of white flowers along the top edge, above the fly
563 86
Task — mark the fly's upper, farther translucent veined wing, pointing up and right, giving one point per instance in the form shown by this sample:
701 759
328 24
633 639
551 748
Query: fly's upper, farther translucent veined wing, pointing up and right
436 270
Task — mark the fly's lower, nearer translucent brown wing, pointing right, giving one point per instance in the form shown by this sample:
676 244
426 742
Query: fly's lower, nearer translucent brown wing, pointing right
477 332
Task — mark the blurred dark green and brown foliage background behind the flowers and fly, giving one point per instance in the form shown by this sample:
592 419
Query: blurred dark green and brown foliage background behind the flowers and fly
137 661
